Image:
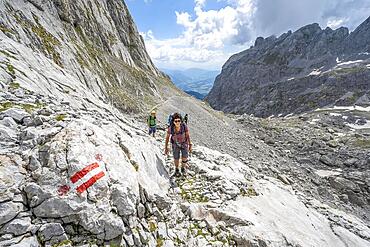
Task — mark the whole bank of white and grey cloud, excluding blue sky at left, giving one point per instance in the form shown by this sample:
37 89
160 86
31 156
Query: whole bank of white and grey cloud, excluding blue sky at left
211 36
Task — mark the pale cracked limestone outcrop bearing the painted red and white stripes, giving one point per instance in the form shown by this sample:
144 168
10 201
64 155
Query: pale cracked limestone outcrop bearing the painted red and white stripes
72 177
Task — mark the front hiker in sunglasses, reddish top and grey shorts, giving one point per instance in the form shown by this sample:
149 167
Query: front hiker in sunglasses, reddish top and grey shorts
180 140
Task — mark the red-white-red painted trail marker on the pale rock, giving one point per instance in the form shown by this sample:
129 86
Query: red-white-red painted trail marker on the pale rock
83 179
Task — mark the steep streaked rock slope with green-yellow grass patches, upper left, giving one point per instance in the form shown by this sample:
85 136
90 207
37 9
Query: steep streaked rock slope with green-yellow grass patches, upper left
96 45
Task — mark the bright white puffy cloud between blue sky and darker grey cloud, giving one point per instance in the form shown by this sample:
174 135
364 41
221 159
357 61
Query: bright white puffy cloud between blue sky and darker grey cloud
207 36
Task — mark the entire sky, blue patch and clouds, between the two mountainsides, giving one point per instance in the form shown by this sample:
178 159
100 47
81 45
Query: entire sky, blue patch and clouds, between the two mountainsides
181 34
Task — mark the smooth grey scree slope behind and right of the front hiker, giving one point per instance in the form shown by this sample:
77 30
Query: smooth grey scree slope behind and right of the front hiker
215 130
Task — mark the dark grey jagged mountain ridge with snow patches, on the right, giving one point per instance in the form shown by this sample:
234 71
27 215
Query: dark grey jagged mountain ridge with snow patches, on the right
296 72
